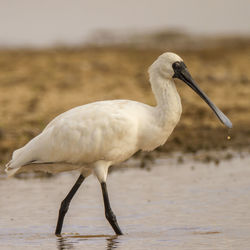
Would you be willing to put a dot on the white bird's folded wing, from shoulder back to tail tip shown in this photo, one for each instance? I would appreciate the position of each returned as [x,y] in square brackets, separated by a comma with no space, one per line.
[96,131]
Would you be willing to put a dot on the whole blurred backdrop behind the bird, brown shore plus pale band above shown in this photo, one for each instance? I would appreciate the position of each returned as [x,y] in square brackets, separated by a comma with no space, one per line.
[58,54]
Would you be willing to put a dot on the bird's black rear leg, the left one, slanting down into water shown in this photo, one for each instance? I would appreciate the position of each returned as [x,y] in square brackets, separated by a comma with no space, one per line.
[65,204]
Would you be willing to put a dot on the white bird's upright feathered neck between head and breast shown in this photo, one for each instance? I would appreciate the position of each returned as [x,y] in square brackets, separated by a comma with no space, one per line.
[168,109]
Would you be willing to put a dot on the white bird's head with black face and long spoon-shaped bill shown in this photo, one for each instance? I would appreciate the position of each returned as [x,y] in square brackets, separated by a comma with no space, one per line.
[170,66]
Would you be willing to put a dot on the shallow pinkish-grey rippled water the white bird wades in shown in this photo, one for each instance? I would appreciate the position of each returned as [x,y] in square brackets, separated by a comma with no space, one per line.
[173,206]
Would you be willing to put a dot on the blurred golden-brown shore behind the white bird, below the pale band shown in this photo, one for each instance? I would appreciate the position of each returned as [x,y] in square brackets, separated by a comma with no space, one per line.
[37,85]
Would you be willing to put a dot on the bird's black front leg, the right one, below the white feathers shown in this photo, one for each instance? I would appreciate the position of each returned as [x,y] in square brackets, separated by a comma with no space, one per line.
[108,211]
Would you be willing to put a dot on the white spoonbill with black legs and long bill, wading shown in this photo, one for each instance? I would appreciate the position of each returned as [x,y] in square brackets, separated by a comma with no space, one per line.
[92,137]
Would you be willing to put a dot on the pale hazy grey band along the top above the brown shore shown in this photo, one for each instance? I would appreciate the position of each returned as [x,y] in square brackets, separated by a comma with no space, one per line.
[47,22]
